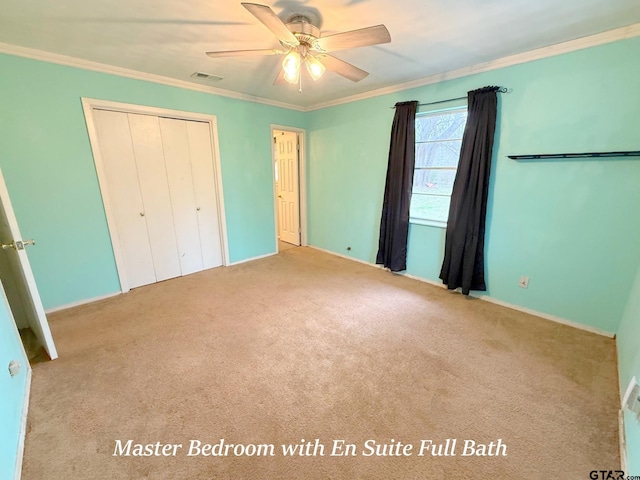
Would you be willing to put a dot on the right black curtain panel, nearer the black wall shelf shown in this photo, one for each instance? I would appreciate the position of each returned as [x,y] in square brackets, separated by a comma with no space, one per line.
[463,264]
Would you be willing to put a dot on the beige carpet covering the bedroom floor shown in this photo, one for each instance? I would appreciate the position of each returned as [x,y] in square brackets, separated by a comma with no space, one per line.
[305,345]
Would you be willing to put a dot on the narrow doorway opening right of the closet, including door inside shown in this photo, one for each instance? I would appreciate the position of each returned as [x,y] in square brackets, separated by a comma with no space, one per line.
[289,187]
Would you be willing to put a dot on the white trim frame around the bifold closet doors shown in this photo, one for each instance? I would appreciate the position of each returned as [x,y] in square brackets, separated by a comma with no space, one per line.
[91,104]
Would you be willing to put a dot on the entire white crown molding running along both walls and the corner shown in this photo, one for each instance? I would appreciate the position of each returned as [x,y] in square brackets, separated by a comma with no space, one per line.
[609,36]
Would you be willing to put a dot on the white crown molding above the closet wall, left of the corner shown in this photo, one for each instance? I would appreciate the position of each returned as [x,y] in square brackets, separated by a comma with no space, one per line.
[65,60]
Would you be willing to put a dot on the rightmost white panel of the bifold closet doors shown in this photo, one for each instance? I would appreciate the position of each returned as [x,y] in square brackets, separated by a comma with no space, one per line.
[204,185]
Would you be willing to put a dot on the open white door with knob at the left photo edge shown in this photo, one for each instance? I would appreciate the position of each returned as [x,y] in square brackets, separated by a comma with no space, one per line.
[24,298]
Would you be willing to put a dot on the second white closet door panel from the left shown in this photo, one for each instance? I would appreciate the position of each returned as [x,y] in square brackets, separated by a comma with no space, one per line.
[147,146]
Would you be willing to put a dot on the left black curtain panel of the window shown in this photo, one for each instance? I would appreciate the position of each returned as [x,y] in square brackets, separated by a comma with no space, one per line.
[394,223]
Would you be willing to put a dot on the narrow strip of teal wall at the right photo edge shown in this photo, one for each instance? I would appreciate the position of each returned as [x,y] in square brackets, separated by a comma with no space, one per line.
[628,340]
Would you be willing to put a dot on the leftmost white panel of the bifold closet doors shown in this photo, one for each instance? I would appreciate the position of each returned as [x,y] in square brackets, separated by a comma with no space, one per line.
[124,195]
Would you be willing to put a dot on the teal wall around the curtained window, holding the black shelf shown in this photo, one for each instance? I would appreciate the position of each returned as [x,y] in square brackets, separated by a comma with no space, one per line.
[572,226]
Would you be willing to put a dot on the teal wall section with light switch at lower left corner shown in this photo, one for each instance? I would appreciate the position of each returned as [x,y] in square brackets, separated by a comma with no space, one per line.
[12,391]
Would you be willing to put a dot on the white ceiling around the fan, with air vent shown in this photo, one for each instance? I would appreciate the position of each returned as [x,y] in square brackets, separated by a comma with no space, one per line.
[170,37]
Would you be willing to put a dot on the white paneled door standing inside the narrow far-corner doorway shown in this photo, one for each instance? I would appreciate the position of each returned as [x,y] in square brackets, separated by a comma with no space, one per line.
[288,200]
